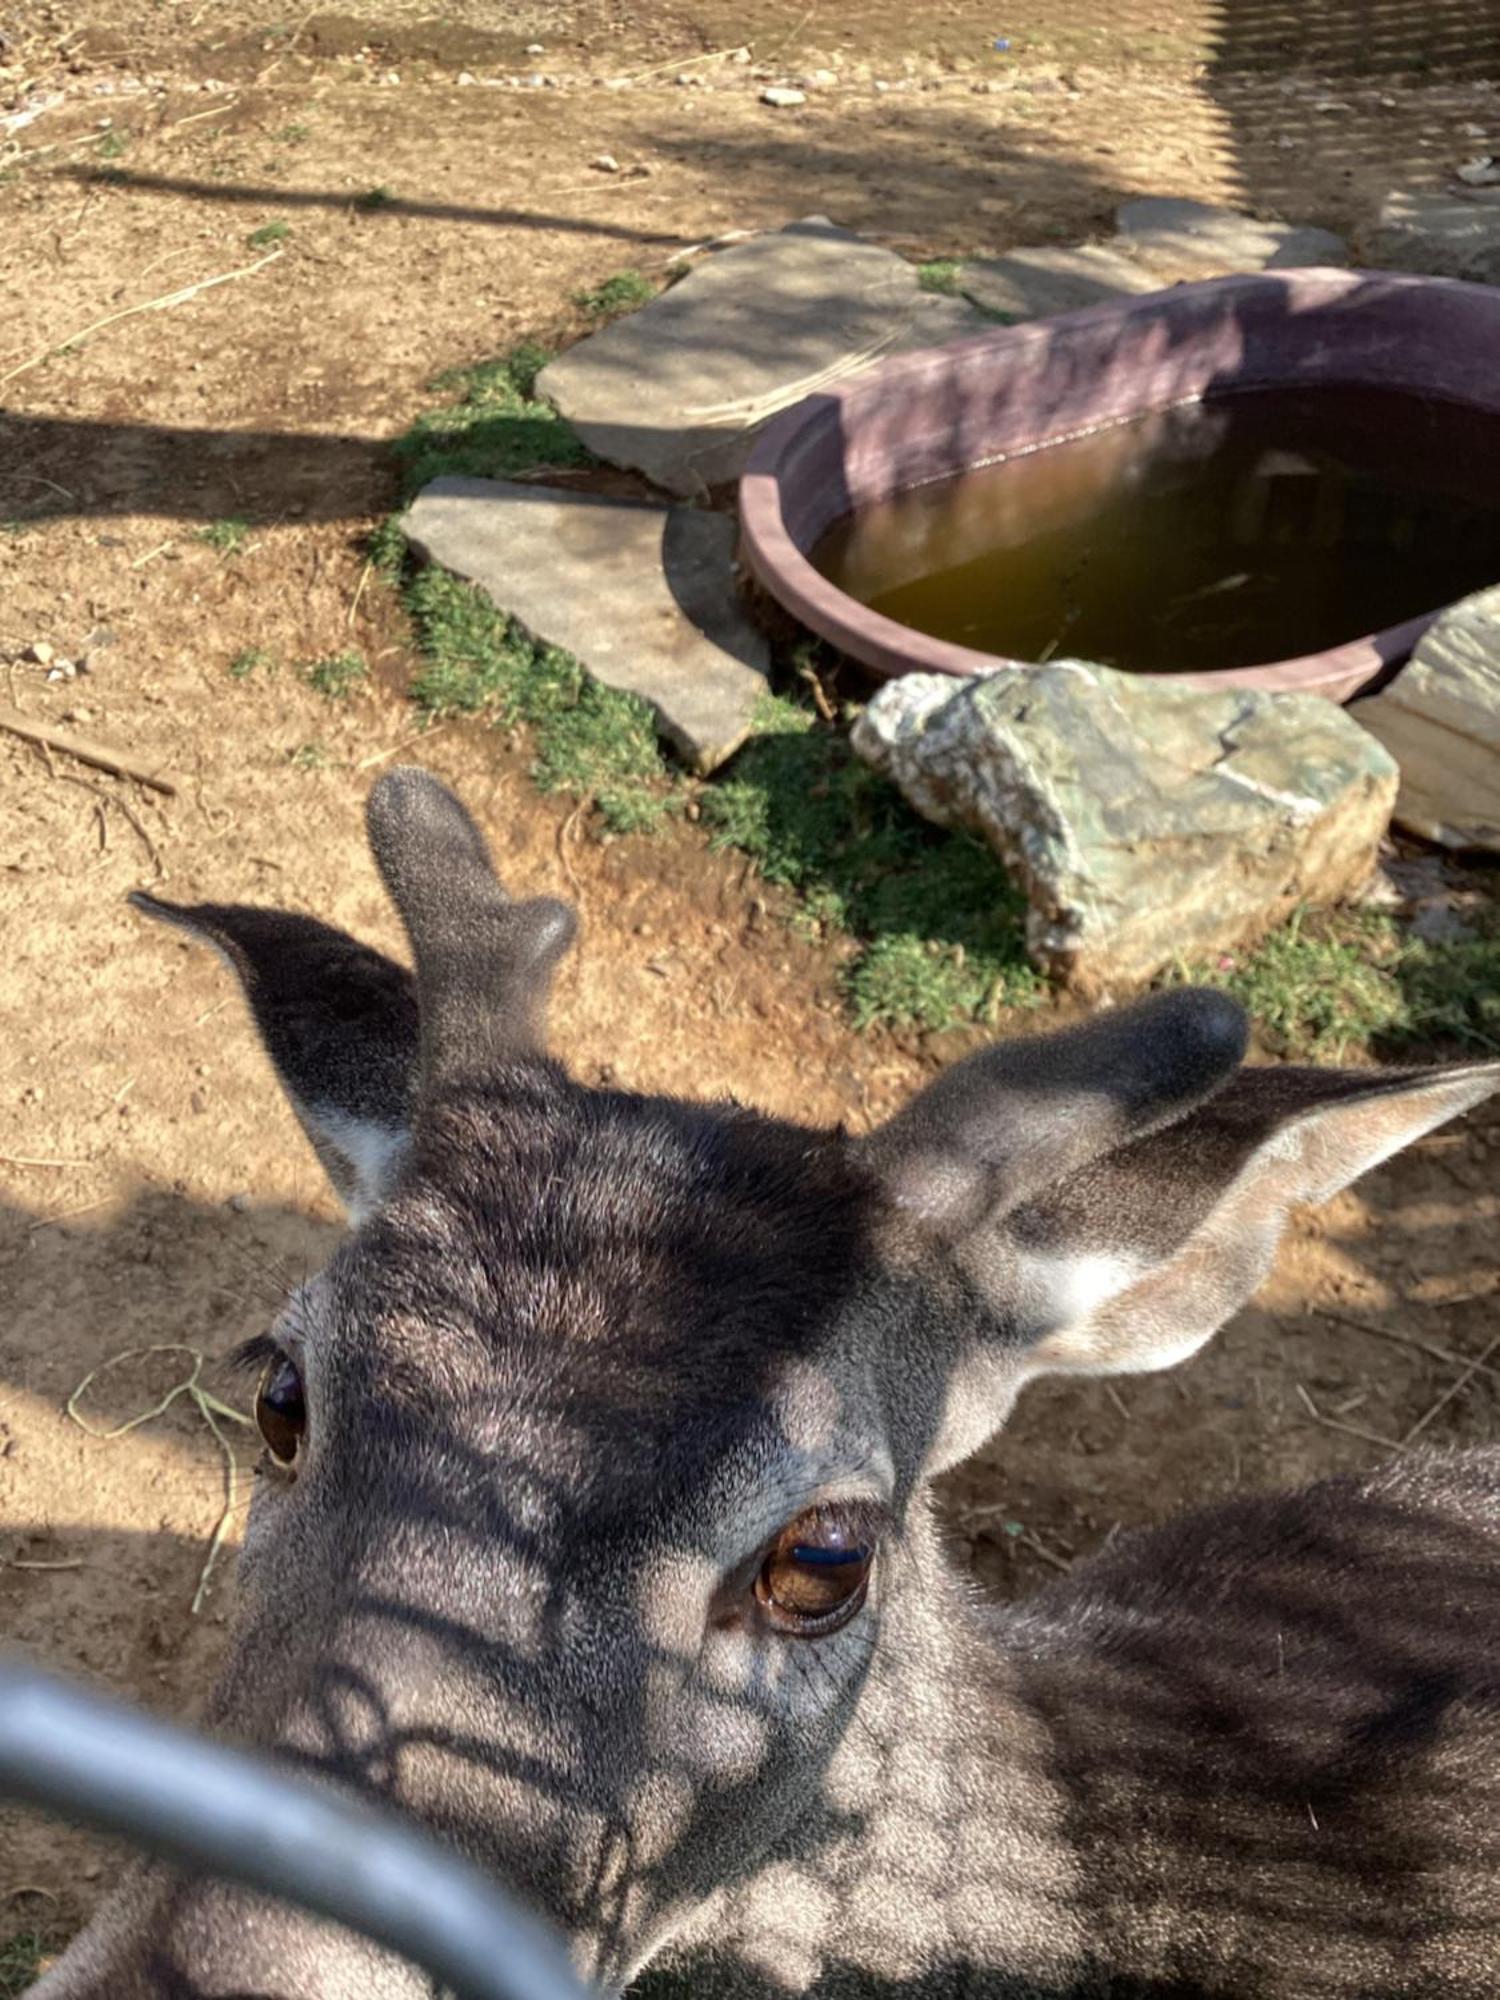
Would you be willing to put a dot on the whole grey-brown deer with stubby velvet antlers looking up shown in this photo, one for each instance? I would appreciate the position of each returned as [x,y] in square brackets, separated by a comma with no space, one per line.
[597,1529]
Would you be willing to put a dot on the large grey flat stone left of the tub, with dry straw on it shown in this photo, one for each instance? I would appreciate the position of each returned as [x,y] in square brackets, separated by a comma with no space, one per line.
[679,389]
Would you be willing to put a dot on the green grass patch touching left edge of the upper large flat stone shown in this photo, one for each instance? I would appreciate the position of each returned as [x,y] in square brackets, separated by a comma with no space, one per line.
[495,429]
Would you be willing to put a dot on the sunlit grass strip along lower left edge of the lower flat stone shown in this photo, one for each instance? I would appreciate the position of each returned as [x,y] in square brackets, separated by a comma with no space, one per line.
[591,741]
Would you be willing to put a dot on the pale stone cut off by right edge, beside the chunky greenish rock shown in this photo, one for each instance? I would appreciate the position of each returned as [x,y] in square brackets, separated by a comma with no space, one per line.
[1441,721]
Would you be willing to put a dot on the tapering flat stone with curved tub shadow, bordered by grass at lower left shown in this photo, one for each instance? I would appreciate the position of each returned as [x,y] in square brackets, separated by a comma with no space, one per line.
[641,595]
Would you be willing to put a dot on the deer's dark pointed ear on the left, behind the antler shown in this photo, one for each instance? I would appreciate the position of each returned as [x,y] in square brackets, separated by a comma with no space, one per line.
[339,1023]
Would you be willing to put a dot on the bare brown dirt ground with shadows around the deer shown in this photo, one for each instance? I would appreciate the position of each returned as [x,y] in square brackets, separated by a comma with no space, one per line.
[153,1187]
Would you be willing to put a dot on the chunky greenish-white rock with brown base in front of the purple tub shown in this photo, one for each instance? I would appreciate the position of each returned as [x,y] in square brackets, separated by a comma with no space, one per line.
[1147,821]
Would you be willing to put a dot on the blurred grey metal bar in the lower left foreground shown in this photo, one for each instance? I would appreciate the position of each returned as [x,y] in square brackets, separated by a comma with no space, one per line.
[233,1815]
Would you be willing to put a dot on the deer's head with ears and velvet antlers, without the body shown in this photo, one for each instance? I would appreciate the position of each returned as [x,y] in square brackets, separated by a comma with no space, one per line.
[597,1459]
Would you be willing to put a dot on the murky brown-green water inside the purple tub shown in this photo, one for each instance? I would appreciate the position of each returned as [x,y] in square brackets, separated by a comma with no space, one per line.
[1229,533]
